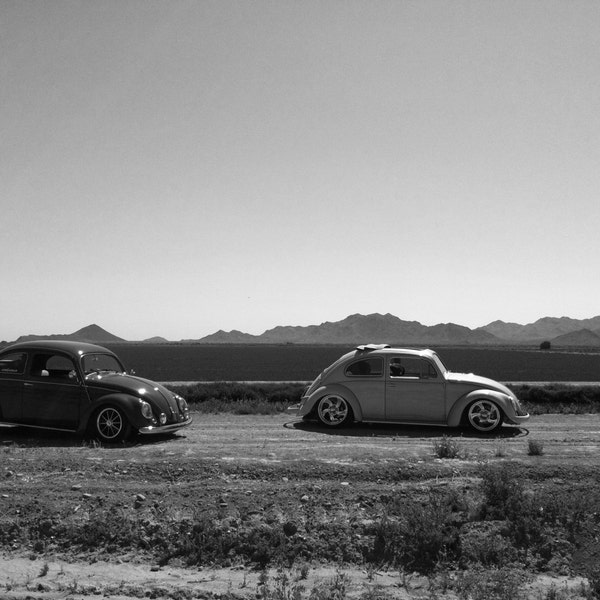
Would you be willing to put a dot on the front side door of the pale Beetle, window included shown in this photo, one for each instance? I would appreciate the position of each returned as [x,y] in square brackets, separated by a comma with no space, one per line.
[415,391]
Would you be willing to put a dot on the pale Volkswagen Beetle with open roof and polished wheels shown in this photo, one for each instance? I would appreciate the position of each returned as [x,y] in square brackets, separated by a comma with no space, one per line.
[378,383]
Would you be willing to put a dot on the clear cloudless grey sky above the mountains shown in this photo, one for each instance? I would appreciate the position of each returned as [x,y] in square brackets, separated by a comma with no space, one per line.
[177,167]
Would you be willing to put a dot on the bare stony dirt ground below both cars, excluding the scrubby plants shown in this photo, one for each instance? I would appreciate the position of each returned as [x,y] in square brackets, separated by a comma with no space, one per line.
[245,464]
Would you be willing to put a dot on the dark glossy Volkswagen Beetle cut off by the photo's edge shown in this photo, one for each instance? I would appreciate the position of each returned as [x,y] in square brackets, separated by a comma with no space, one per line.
[83,388]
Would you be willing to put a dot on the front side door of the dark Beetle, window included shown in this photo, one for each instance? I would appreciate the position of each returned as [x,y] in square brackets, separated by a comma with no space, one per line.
[52,392]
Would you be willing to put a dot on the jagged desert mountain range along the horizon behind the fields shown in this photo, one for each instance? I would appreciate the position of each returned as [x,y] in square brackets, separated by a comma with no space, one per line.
[559,331]
